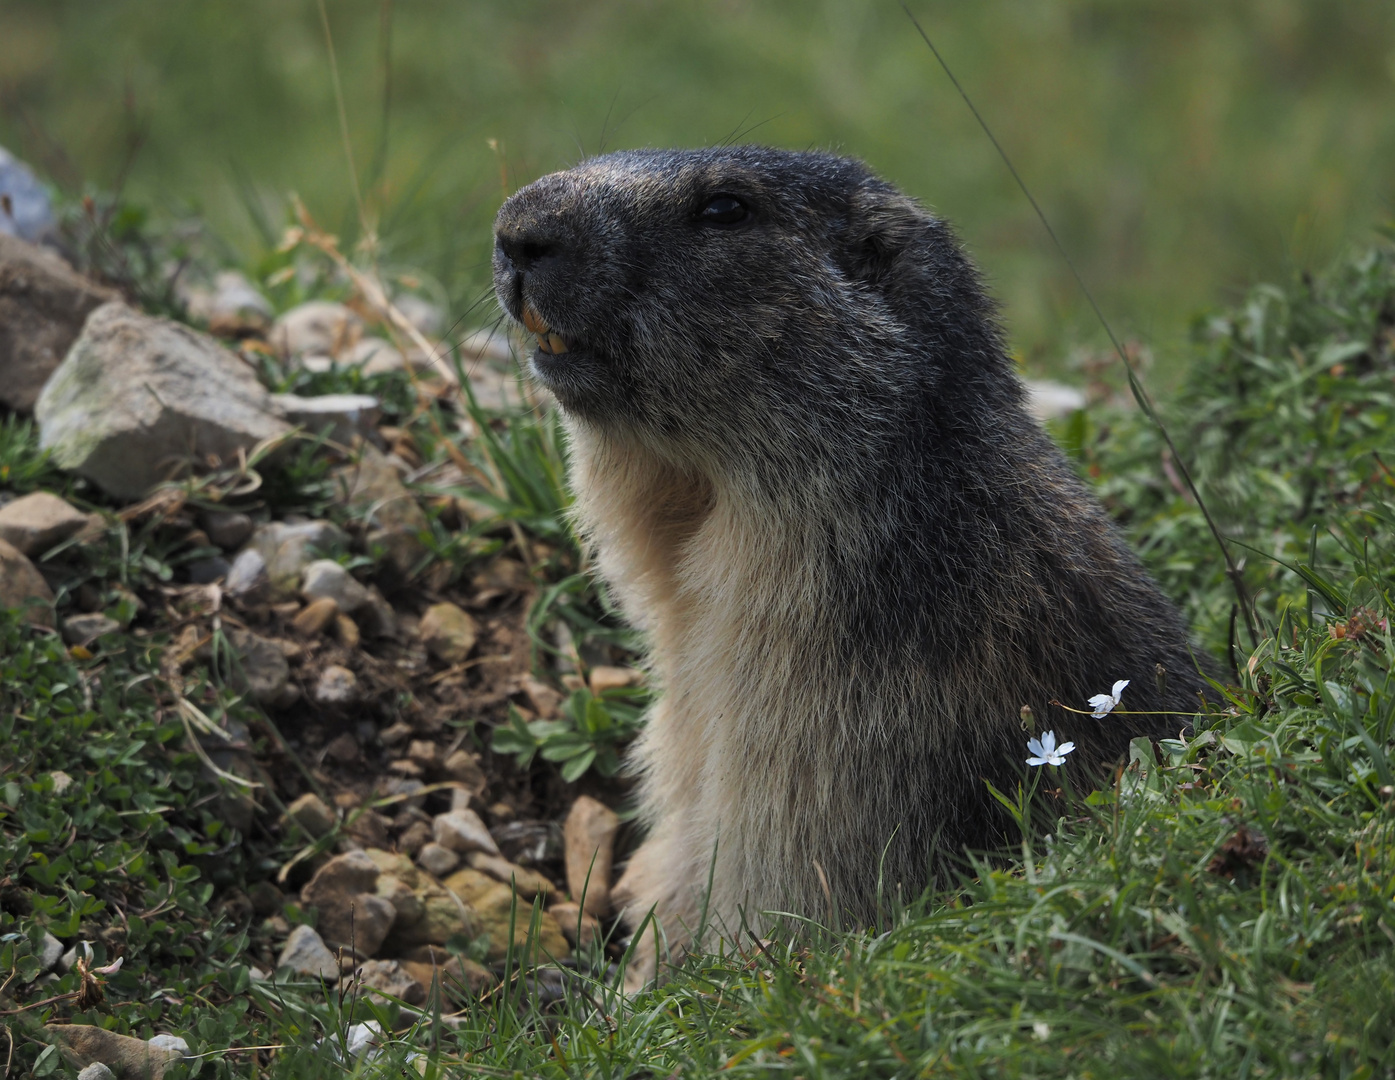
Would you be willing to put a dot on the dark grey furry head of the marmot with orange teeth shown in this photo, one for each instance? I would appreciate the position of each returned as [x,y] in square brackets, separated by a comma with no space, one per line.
[701,299]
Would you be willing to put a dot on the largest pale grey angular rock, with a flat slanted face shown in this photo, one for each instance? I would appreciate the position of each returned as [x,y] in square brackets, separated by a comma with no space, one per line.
[140,400]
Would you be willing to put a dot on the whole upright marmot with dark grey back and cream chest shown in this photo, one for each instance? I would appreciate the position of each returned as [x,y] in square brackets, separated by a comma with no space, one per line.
[803,457]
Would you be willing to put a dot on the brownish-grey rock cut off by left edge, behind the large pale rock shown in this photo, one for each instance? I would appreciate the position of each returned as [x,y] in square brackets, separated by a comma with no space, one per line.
[44,305]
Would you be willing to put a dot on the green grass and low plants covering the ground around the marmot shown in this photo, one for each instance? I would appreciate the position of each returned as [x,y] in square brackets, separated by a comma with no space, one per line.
[1224,909]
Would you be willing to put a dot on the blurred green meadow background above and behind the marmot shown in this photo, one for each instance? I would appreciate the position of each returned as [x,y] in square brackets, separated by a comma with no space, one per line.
[1182,149]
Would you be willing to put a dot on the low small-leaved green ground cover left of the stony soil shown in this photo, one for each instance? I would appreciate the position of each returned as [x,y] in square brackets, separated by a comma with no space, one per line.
[111,834]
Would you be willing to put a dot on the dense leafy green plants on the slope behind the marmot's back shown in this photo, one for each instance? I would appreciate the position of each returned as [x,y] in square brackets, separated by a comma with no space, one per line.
[1288,421]
